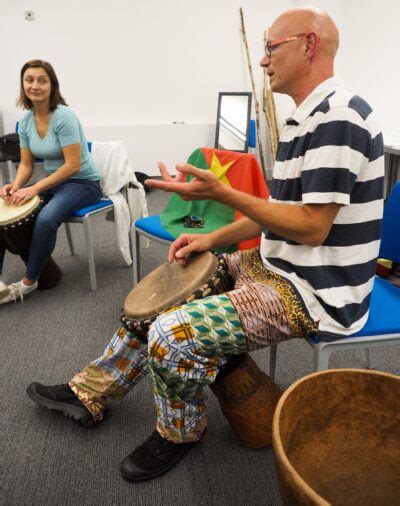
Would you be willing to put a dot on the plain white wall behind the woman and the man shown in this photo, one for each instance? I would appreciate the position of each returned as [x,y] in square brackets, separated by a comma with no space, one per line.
[131,68]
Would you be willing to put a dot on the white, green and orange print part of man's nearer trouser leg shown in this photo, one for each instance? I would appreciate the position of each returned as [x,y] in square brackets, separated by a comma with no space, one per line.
[183,347]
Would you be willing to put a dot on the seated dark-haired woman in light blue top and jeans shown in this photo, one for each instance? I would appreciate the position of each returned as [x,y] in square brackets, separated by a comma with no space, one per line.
[51,131]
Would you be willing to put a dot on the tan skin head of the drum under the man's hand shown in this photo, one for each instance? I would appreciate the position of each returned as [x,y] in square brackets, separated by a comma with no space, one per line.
[168,285]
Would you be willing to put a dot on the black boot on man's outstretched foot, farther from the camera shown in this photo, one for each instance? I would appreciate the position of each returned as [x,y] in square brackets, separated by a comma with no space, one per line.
[61,398]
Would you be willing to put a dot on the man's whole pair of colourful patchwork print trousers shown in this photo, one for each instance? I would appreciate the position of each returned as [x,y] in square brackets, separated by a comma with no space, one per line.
[187,346]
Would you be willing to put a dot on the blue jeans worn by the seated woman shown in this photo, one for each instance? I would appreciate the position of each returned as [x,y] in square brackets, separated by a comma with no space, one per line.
[61,203]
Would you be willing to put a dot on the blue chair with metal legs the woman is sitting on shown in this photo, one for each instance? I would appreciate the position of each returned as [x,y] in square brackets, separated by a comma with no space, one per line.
[84,216]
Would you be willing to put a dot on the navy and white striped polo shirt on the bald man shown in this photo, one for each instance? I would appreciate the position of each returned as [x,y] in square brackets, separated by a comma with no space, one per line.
[331,150]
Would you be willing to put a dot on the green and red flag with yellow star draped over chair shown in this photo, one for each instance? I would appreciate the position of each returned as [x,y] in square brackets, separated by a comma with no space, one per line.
[241,171]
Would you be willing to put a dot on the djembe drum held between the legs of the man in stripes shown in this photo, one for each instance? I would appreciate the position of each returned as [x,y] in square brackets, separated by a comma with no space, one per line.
[246,395]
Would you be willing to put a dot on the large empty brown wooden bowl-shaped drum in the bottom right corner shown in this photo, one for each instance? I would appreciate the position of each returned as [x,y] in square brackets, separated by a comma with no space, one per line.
[336,436]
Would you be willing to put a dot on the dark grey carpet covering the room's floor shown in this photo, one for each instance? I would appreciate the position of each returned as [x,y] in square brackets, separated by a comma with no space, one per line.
[47,460]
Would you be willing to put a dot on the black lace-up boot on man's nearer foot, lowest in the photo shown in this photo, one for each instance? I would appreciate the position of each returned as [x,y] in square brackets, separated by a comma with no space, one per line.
[153,458]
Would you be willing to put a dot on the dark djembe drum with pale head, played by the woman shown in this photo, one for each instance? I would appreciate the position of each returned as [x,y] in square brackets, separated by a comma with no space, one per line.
[16,228]
